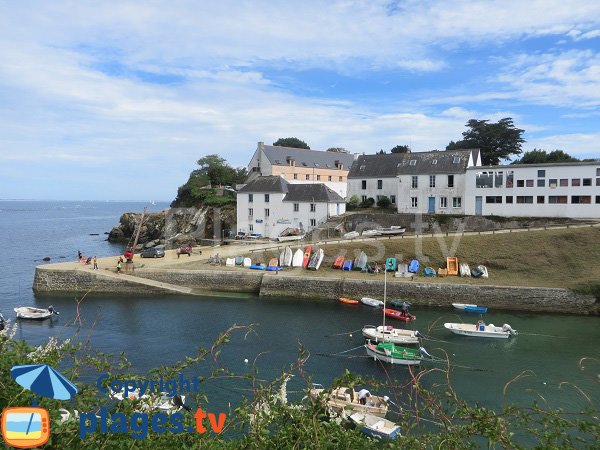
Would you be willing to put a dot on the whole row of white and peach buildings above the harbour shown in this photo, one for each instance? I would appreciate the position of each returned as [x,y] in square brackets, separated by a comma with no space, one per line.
[299,188]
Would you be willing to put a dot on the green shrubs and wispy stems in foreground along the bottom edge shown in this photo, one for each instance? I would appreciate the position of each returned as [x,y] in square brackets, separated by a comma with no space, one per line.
[431,417]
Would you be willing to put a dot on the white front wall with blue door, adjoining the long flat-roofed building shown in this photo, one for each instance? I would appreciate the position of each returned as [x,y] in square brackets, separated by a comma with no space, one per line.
[447,196]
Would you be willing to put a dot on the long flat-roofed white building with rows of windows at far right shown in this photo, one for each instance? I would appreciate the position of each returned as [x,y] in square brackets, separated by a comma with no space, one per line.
[534,190]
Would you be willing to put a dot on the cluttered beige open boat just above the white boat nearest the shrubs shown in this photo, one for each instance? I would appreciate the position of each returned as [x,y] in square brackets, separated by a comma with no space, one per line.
[344,400]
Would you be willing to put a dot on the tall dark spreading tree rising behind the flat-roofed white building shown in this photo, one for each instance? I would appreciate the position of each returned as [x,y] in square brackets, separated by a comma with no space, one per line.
[495,140]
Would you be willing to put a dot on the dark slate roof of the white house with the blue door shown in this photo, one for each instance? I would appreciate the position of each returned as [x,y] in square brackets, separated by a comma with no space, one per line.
[418,163]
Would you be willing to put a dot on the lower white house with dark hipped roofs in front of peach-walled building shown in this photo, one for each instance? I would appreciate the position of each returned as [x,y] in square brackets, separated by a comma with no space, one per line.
[268,205]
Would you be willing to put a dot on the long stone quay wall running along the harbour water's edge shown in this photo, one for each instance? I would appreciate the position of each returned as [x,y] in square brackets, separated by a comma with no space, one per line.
[265,284]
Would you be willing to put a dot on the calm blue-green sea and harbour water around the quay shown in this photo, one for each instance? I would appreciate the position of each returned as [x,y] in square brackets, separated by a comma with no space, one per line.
[161,330]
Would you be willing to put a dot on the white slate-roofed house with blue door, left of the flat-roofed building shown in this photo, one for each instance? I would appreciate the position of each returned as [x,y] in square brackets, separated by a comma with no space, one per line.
[422,182]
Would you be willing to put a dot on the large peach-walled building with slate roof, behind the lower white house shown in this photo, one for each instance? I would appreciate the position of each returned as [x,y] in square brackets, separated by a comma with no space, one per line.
[301,166]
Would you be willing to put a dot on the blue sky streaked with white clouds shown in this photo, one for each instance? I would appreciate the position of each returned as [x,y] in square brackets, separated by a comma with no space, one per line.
[119,99]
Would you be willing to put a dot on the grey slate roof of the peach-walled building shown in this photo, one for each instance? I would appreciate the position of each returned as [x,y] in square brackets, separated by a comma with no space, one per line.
[307,158]
